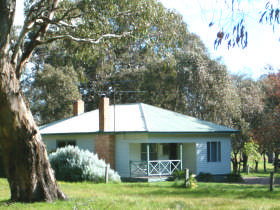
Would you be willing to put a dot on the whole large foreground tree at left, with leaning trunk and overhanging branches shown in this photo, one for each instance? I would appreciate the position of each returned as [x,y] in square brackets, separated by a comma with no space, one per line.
[88,22]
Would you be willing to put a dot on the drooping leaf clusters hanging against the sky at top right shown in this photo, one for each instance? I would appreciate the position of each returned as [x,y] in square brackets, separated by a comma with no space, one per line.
[233,31]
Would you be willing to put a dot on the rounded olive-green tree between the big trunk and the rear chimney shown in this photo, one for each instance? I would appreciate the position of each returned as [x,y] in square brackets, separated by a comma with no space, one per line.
[53,92]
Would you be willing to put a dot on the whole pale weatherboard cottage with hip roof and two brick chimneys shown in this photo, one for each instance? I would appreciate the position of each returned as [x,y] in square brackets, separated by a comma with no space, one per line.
[143,140]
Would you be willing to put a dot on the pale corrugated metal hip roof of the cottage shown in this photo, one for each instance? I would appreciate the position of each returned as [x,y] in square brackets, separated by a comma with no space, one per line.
[136,117]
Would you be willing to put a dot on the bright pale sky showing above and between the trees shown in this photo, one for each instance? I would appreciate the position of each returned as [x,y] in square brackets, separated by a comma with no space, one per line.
[263,46]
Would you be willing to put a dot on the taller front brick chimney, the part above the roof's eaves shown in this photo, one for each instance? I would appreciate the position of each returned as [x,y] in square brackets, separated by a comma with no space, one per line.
[104,113]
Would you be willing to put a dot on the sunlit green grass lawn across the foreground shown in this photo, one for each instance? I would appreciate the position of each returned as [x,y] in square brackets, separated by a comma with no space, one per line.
[161,195]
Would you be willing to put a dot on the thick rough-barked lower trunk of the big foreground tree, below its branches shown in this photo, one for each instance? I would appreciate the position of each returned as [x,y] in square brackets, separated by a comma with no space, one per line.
[25,159]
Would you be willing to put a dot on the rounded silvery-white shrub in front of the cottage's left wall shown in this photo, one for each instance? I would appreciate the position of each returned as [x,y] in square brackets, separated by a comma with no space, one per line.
[73,164]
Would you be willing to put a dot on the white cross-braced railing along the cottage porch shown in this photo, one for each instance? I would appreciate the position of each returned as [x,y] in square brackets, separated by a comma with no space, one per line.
[156,168]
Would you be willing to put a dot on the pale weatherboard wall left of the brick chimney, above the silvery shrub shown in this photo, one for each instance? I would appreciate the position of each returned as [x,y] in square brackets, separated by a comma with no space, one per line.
[83,141]
